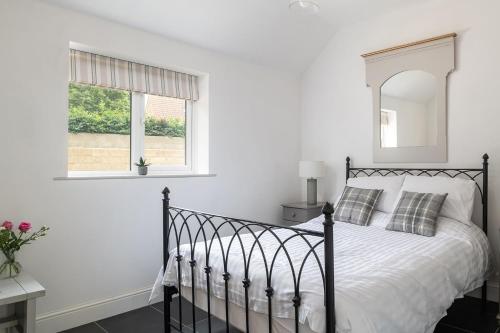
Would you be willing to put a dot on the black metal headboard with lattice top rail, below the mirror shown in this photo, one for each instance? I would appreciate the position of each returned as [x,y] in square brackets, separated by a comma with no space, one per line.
[479,176]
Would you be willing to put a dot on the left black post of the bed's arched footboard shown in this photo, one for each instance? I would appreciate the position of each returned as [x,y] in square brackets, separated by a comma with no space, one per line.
[168,291]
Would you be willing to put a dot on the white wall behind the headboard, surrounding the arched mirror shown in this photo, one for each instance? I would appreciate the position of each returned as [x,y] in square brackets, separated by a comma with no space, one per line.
[336,116]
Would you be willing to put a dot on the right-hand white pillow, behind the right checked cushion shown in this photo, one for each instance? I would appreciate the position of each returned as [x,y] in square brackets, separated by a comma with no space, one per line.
[459,203]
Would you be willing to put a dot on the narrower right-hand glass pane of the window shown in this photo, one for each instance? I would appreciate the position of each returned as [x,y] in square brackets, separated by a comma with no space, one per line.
[165,127]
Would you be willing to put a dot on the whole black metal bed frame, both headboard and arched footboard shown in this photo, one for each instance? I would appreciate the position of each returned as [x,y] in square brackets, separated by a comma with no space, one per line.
[207,228]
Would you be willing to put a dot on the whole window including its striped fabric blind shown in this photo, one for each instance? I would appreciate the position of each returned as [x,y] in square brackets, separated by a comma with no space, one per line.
[120,111]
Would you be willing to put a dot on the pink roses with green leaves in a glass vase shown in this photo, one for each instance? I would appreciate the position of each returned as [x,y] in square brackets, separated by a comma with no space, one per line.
[12,241]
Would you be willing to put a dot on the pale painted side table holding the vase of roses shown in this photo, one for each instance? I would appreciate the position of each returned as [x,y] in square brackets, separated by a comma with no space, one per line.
[18,303]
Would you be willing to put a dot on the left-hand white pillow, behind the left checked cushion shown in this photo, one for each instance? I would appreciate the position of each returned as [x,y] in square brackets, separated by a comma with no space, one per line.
[390,184]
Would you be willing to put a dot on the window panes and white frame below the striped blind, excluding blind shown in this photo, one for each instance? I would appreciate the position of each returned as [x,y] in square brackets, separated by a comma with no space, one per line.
[104,137]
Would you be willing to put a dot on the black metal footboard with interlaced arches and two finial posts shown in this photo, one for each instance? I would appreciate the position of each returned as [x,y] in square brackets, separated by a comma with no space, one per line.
[209,222]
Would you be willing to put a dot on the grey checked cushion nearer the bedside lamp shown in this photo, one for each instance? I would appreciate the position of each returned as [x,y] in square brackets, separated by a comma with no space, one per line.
[356,205]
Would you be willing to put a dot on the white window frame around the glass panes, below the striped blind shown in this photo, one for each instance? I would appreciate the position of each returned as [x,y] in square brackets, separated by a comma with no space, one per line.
[137,138]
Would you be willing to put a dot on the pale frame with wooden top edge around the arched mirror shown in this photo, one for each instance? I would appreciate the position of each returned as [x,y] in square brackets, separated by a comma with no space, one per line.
[436,56]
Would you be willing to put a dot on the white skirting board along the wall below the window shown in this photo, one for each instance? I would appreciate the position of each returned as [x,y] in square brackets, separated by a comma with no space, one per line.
[89,312]
